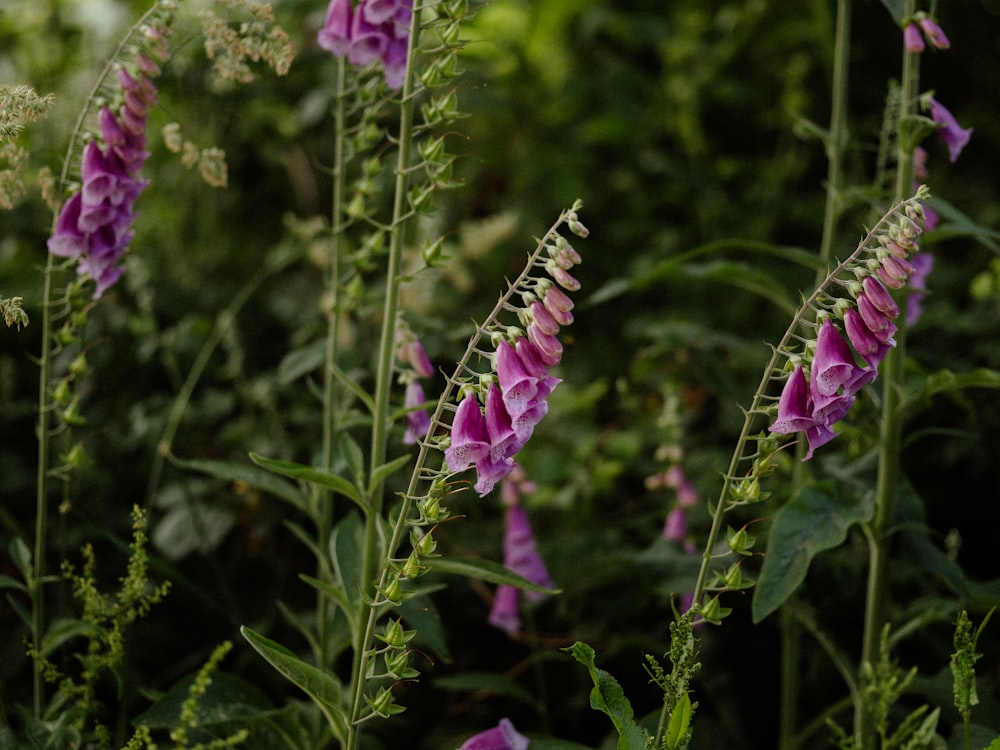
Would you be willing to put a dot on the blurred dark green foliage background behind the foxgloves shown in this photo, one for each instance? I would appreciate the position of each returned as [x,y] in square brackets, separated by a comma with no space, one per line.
[682,126]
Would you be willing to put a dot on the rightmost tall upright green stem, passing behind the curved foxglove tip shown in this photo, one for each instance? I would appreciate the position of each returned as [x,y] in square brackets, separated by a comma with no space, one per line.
[879,530]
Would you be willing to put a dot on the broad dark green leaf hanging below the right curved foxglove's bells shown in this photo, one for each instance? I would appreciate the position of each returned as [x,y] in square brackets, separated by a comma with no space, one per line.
[817,518]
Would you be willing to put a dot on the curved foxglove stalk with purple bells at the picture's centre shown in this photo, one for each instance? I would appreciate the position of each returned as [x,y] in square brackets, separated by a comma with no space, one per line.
[471,442]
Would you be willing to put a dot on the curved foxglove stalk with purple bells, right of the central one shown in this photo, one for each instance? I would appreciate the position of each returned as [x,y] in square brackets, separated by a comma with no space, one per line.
[822,373]
